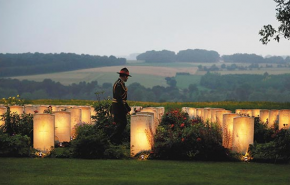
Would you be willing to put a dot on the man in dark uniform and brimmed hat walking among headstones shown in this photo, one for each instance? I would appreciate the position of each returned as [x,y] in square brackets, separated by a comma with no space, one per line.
[120,108]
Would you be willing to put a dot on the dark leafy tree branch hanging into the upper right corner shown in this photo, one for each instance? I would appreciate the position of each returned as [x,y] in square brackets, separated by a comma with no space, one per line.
[283,16]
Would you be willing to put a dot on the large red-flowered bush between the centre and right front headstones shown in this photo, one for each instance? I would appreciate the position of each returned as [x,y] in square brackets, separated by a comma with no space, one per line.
[178,137]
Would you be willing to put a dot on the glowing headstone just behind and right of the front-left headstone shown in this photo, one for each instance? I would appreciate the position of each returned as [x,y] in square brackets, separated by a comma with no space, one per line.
[62,125]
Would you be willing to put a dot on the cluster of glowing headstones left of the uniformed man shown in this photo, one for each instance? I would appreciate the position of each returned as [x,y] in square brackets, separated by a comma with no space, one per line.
[57,125]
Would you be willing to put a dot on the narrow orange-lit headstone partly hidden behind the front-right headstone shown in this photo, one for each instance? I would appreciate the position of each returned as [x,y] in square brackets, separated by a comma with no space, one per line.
[228,124]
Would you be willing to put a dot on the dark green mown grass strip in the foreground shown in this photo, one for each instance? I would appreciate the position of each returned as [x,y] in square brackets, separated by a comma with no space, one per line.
[77,171]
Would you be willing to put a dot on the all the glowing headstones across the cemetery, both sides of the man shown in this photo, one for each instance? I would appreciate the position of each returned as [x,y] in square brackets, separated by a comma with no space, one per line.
[237,128]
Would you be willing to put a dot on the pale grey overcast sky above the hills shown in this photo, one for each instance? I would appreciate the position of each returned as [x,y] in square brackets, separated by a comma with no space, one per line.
[123,27]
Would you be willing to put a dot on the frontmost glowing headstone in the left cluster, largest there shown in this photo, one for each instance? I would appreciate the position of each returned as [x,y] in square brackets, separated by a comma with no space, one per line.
[43,132]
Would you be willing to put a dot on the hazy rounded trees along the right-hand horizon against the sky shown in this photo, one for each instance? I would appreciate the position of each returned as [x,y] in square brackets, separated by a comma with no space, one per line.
[205,56]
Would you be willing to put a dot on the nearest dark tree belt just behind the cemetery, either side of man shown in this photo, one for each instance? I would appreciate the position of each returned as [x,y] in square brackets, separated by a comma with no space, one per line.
[212,87]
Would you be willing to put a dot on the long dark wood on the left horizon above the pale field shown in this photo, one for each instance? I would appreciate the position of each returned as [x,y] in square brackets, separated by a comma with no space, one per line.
[39,63]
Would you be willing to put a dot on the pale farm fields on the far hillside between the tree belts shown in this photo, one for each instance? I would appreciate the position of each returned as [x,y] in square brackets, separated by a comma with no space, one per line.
[147,74]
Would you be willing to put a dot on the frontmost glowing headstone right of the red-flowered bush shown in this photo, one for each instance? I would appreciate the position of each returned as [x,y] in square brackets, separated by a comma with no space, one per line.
[243,134]
